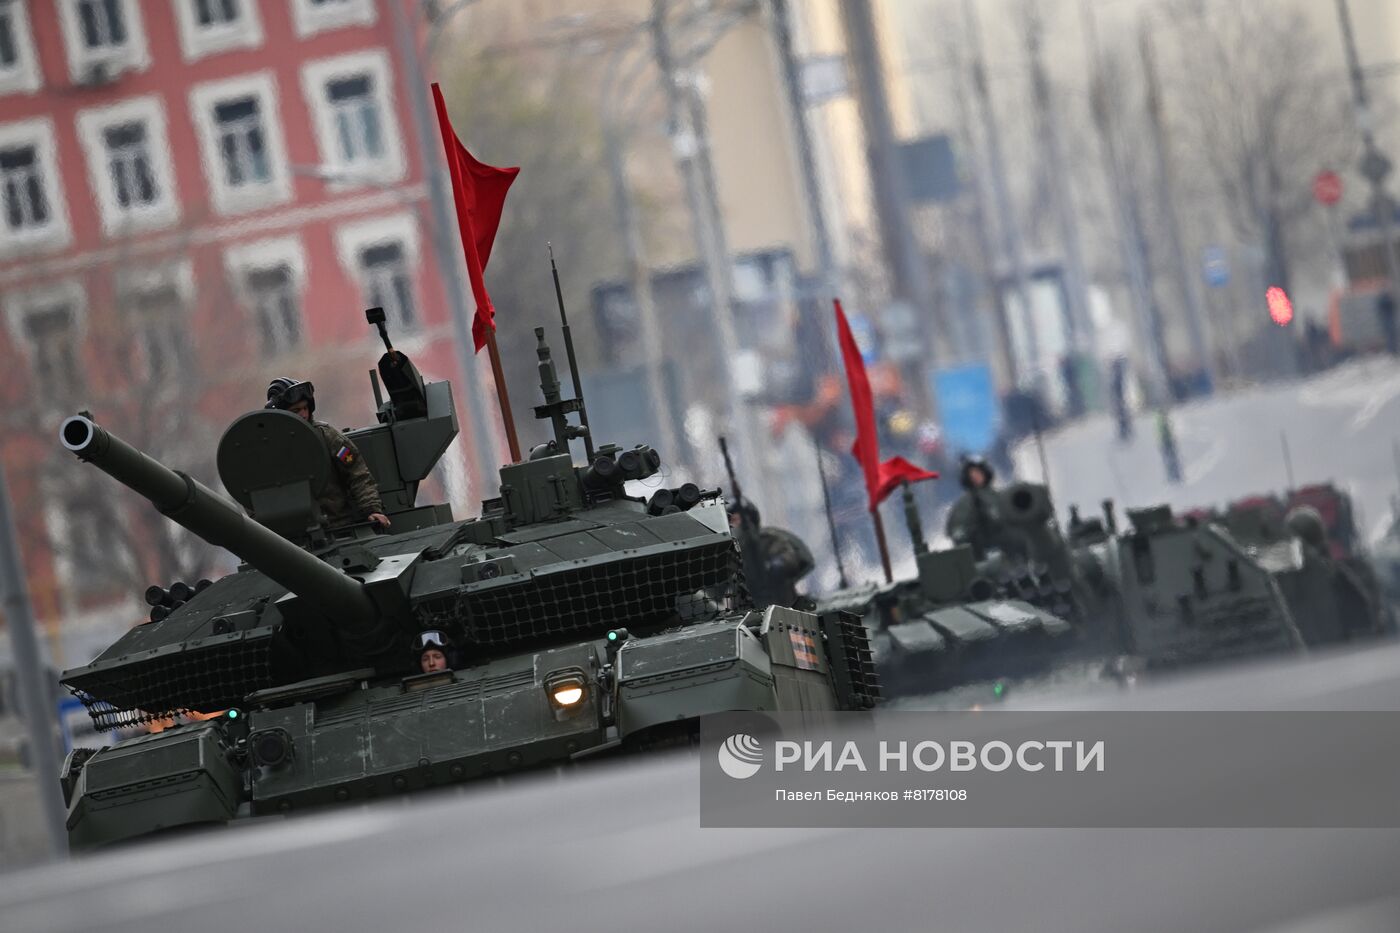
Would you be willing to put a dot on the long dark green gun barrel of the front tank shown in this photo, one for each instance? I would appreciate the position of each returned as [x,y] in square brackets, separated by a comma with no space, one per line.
[194,506]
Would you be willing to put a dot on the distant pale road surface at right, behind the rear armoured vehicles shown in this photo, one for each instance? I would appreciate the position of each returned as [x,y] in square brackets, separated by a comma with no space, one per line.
[1339,427]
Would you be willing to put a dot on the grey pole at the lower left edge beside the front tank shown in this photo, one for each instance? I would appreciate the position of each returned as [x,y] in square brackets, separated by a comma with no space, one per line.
[37,705]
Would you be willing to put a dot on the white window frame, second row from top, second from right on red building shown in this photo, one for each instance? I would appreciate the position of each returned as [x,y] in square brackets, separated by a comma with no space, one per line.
[246,198]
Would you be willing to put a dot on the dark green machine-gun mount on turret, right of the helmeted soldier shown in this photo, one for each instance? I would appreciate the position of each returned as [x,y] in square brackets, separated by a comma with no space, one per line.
[416,425]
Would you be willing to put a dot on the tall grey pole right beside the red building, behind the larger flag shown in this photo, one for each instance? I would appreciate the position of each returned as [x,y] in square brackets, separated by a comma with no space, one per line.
[447,254]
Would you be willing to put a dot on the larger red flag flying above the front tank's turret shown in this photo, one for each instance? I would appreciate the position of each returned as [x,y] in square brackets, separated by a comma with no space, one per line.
[479,193]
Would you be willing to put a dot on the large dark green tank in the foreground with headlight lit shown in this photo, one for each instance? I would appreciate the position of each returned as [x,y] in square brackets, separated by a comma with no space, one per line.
[587,620]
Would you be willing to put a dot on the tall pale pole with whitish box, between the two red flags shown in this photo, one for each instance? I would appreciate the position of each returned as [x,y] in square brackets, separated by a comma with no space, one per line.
[688,130]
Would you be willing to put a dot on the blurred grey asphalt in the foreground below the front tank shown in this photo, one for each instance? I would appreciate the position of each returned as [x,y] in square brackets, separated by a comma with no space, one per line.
[619,847]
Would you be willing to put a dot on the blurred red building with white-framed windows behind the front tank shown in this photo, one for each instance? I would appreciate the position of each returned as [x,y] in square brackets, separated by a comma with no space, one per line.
[227,186]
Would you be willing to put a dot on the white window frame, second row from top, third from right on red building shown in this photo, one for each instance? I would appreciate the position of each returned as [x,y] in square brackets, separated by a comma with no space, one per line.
[93,125]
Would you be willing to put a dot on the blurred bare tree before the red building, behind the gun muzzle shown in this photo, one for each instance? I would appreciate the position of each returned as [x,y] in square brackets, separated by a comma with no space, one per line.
[159,361]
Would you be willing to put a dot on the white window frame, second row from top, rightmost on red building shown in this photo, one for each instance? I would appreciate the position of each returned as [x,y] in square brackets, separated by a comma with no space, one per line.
[316,79]
